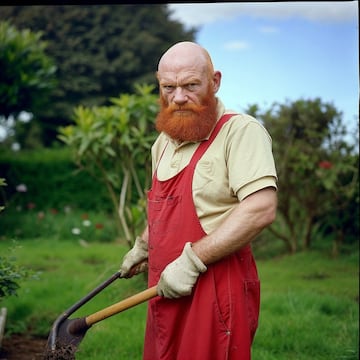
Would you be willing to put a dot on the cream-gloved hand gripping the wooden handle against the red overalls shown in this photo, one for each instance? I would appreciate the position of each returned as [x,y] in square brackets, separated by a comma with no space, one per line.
[179,277]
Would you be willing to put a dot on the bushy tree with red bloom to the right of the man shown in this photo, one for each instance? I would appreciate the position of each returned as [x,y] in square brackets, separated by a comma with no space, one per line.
[317,170]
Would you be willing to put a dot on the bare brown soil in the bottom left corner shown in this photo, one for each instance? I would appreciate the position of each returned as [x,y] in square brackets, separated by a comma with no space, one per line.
[22,347]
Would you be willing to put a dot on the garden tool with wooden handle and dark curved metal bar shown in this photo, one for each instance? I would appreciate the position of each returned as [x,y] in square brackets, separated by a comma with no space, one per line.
[66,334]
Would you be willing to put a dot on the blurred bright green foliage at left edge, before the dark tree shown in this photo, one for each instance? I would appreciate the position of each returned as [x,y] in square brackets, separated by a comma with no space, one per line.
[27,73]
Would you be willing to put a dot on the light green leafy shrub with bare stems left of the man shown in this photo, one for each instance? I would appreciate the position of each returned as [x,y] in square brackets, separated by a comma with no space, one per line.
[113,143]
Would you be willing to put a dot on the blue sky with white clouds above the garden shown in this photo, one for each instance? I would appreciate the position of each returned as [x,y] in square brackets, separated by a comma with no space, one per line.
[281,51]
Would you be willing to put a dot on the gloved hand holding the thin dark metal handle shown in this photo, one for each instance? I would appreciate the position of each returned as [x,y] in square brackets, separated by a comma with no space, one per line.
[135,261]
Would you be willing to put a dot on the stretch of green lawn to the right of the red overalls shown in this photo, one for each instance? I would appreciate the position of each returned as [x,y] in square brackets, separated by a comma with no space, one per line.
[309,308]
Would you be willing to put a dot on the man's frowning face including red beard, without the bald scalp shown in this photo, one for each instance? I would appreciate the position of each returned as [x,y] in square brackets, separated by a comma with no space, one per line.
[188,104]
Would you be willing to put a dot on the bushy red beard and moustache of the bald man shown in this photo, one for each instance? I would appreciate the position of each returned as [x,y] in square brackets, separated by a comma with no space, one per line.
[189,122]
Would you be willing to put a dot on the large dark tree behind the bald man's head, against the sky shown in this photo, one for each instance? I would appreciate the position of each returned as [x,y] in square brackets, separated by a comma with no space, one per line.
[101,50]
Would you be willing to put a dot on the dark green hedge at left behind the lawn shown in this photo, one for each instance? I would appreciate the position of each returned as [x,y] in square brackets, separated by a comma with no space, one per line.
[48,178]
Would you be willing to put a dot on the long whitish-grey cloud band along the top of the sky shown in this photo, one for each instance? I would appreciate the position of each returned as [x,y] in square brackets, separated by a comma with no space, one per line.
[197,14]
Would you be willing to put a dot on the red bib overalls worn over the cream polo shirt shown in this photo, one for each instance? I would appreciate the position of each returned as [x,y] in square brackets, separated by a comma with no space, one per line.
[219,319]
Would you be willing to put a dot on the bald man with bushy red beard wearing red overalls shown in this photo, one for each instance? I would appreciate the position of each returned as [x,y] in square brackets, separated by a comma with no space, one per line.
[214,189]
